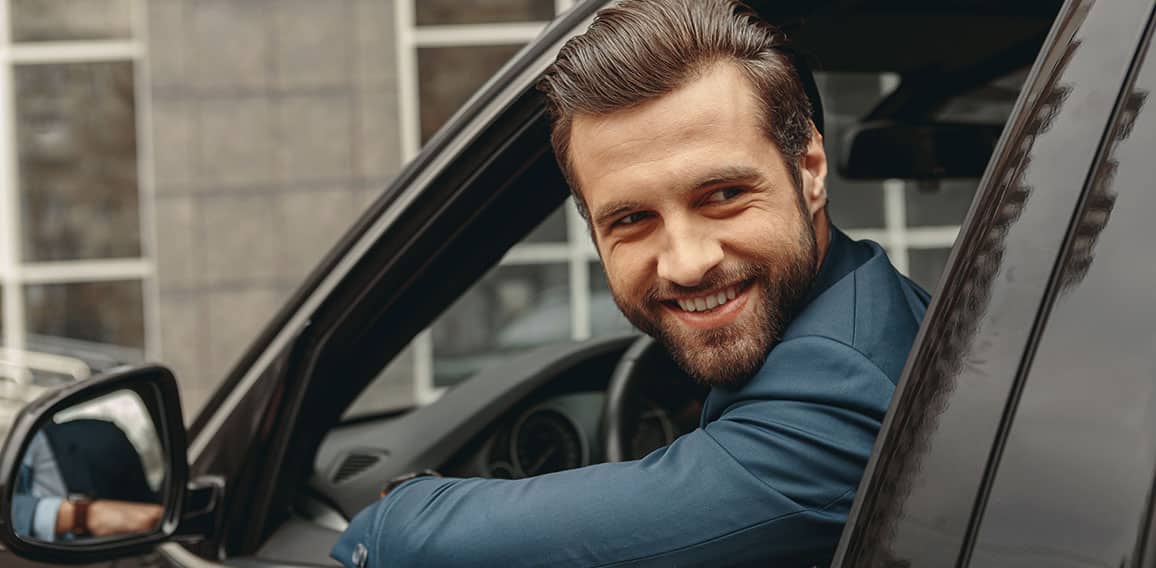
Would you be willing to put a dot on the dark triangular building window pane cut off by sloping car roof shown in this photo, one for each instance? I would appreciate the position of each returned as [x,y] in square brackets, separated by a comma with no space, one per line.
[448,77]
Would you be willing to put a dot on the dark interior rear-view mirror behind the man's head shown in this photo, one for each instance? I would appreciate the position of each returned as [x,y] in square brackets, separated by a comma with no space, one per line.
[937,151]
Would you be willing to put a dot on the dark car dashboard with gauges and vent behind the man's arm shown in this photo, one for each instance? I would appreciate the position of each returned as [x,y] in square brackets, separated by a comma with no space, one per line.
[529,416]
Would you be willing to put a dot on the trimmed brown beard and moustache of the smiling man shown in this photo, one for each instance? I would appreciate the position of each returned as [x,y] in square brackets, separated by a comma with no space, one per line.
[730,356]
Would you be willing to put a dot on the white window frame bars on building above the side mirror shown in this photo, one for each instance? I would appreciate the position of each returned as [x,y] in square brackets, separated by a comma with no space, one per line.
[14,272]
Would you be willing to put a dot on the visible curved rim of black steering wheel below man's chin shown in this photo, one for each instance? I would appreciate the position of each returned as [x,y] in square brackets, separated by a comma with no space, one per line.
[621,412]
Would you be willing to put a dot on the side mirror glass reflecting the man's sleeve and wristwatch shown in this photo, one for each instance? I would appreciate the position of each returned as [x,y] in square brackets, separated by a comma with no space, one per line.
[92,471]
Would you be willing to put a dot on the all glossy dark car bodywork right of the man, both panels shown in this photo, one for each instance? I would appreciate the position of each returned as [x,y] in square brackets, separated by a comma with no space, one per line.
[974,448]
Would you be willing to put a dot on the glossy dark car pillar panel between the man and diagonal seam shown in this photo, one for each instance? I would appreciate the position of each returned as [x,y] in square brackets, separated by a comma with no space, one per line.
[916,504]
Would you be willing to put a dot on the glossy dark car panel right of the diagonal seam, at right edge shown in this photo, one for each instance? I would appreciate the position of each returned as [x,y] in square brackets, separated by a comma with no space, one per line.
[1073,484]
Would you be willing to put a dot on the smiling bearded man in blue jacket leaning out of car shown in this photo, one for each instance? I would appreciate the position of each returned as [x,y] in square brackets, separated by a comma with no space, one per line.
[687,138]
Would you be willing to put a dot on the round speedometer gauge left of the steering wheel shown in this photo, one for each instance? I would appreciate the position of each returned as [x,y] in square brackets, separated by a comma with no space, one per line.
[544,442]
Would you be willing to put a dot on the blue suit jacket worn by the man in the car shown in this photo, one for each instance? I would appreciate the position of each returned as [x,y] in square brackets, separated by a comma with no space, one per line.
[768,480]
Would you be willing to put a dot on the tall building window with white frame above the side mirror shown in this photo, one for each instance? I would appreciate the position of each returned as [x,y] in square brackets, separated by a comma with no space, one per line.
[76,268]
